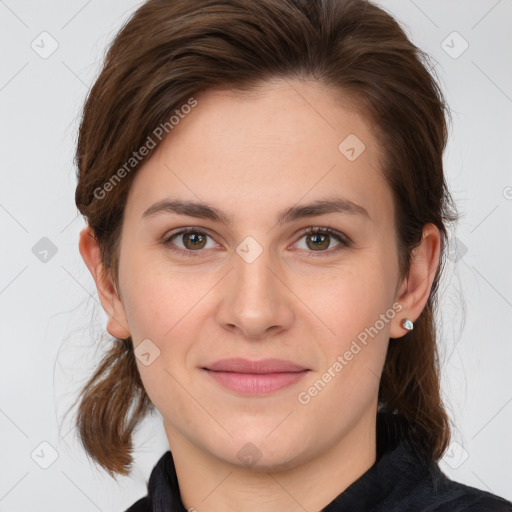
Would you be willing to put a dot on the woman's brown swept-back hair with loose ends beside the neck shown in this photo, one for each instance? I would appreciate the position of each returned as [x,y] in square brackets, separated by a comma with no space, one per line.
[170,50]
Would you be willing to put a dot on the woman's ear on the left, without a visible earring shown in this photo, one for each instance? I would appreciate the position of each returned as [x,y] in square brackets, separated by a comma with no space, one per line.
[91,254]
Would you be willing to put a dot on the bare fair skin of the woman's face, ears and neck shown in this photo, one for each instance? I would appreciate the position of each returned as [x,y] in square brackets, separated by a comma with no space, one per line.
[252,155]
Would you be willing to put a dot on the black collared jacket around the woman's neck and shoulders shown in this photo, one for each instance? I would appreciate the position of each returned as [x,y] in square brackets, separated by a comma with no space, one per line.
[401,480]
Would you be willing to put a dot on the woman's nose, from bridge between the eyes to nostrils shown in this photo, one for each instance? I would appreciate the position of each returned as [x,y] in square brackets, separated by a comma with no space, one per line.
[256,302]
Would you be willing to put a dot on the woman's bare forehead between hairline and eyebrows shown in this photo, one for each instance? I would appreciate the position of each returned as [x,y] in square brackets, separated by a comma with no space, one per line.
[281,143]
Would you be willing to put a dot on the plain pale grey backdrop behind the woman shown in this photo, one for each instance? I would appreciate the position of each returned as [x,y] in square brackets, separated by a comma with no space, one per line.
[53,328]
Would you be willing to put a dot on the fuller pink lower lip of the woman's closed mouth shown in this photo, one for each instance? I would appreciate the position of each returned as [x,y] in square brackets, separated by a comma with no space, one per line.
[256,383]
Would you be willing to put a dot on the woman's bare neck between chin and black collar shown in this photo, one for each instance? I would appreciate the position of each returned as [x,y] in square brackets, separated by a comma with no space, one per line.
[209,483]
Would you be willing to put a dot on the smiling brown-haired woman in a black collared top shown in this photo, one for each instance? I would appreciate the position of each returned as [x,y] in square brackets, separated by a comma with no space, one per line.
[267,217]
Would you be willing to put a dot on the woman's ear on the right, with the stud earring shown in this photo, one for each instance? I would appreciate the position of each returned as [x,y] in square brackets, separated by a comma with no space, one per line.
[415,289]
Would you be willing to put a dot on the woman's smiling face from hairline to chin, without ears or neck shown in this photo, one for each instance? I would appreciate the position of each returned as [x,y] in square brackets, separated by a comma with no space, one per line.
[255,285]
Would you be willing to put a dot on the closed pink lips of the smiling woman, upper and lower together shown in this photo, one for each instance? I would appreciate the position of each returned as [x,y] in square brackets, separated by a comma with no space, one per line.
[255,377]
